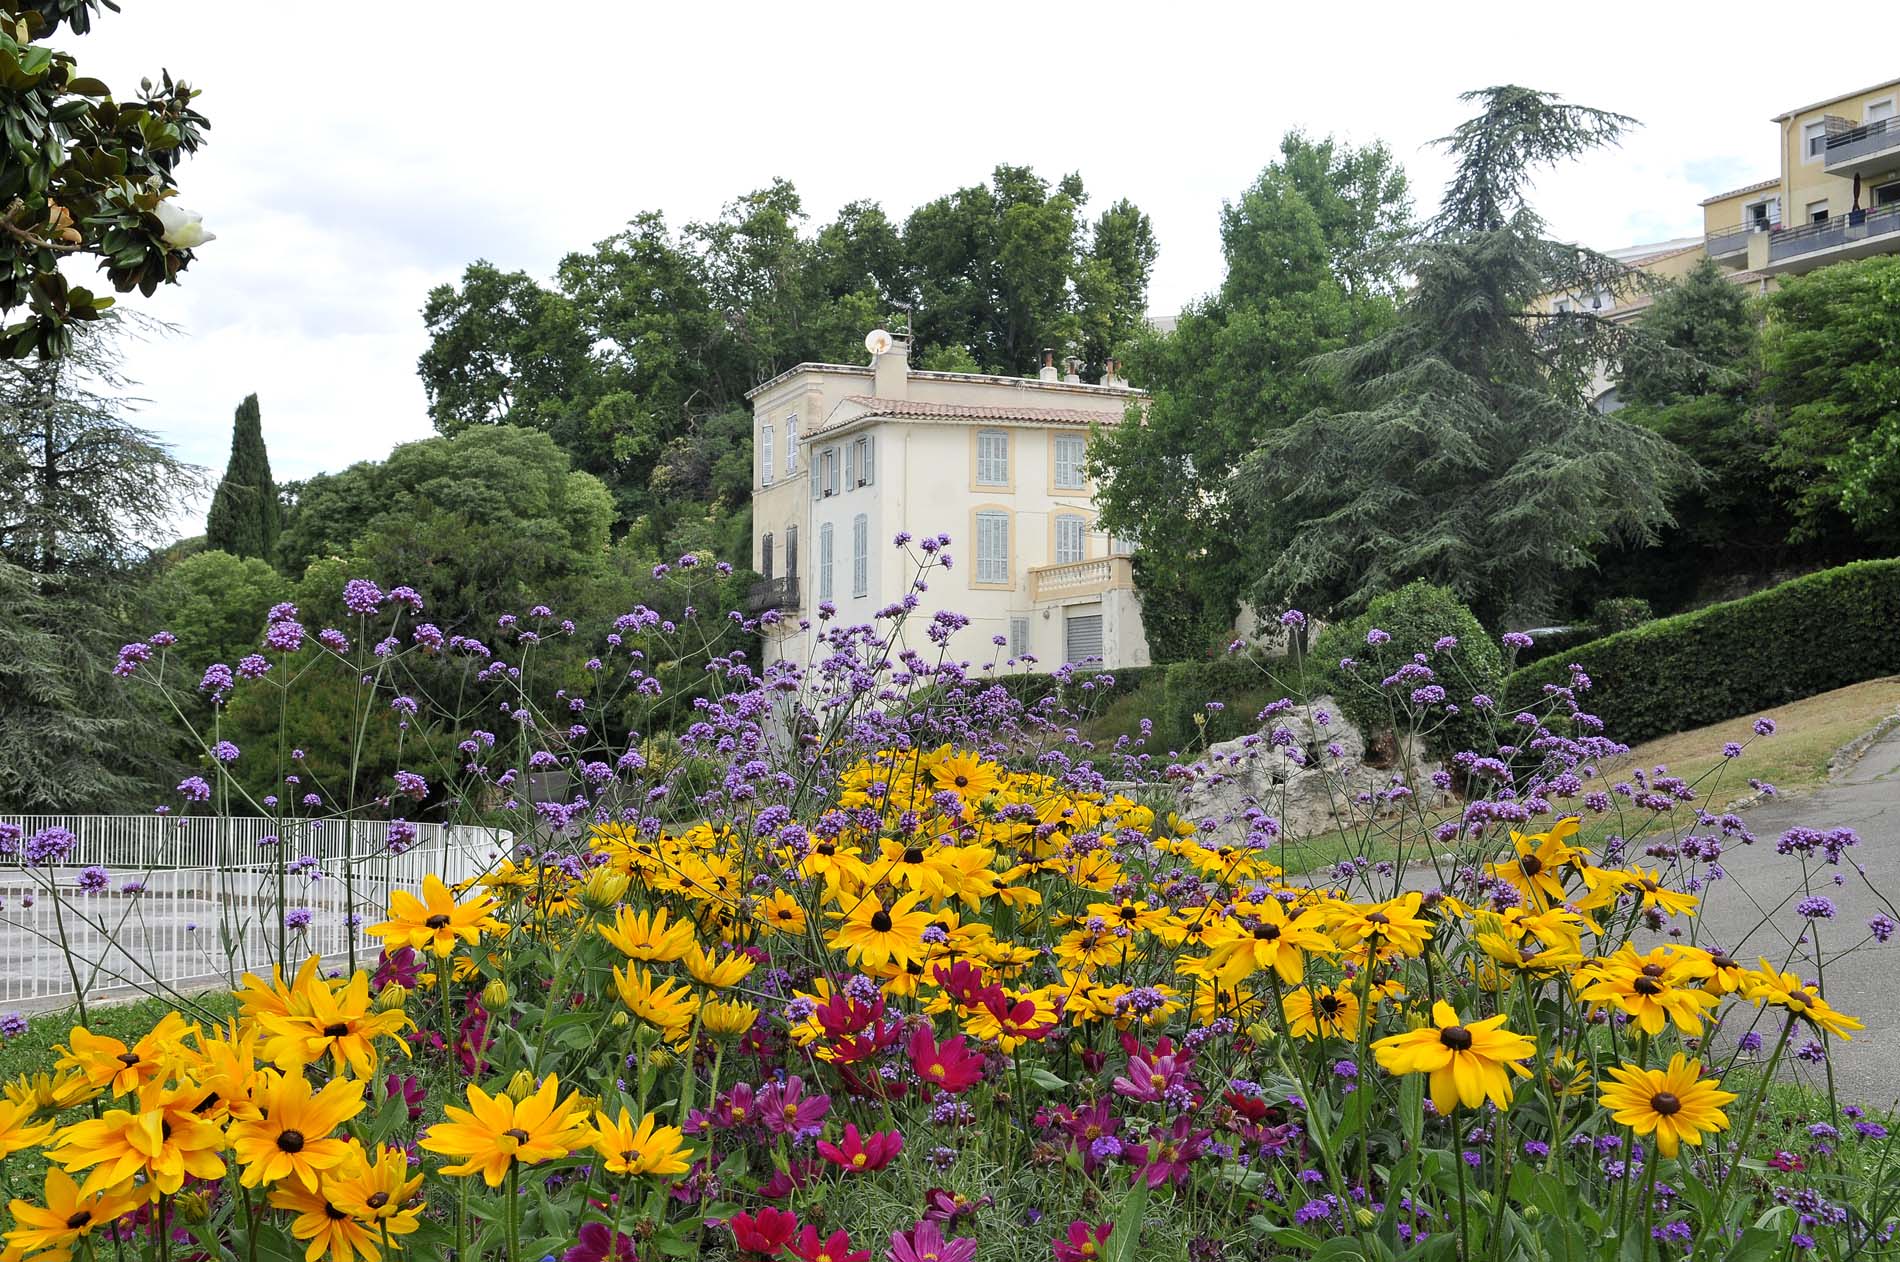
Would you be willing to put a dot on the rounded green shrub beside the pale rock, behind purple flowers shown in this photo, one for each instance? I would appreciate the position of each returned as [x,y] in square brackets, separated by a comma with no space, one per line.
[1416,617]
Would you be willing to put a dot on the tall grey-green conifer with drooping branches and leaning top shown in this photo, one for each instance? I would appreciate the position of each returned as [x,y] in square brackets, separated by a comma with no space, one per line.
[1466,451]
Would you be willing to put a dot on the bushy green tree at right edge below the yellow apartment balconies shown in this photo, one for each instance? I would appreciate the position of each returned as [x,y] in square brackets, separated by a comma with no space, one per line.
[1833,375]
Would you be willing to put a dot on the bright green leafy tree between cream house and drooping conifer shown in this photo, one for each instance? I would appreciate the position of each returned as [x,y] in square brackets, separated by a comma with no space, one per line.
[1312,252]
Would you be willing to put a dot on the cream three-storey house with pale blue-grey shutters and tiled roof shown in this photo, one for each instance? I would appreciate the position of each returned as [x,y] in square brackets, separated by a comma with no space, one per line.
[846,457]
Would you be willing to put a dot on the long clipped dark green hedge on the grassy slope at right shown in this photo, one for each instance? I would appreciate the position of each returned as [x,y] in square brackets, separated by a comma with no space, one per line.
[1810,636]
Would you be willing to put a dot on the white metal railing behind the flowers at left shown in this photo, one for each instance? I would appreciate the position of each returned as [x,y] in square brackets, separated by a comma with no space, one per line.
[168,927]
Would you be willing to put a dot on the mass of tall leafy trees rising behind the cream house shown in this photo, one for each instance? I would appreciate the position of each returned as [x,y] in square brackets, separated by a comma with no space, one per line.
[641,349]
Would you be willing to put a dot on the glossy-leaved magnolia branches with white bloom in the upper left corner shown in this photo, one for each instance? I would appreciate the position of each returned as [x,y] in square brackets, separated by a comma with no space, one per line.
[85,176]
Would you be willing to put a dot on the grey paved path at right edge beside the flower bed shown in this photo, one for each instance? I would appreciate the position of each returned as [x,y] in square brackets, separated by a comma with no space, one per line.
[1753,913]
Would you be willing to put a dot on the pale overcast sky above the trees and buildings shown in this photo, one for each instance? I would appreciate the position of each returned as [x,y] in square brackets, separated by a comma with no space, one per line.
[362,155]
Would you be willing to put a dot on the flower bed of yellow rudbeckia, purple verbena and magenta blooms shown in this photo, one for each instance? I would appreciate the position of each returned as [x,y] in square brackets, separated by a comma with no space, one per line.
[924,980]
